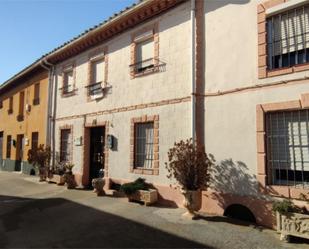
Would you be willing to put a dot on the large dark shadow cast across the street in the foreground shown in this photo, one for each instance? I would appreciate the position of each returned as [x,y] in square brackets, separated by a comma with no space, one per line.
[57,222]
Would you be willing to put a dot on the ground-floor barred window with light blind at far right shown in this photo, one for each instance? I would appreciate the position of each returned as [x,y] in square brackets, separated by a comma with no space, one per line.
[288,148]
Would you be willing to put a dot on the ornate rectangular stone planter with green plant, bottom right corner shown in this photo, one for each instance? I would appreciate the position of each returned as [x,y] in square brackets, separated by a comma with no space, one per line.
[291,220]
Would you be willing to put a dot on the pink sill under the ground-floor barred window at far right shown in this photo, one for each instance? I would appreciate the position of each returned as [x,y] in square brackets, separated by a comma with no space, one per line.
[285,191]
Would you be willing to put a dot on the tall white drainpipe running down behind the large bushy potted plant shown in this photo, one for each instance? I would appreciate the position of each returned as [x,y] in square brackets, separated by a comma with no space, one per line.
[193,97]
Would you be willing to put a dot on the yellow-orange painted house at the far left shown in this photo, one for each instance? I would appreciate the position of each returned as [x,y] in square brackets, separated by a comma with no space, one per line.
[23,118]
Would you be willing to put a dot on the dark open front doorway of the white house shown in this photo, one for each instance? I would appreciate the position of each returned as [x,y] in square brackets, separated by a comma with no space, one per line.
[97,142]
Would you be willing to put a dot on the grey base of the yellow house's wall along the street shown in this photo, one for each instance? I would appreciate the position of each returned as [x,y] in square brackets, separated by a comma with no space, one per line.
[12,165]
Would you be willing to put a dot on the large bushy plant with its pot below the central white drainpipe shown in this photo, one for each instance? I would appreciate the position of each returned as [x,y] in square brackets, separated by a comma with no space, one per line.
[189,165]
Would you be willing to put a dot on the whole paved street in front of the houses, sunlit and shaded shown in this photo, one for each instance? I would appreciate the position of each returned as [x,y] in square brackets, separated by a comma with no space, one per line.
[34,214]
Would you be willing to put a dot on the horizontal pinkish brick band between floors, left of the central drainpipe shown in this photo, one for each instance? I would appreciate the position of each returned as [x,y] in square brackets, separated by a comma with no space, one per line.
[130,108]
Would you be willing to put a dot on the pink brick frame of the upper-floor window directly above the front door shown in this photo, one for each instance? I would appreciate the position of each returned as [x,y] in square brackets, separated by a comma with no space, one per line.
[92,57]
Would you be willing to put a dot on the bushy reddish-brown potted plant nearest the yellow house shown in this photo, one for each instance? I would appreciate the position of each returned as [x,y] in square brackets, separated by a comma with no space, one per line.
[40,158]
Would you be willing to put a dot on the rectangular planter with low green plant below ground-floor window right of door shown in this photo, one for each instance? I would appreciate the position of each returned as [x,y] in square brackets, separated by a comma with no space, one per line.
[139,191]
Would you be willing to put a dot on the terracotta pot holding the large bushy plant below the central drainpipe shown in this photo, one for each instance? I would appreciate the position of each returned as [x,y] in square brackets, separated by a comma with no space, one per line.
[192,201]
